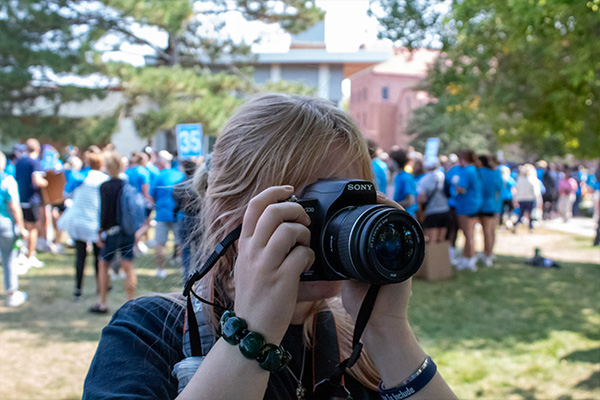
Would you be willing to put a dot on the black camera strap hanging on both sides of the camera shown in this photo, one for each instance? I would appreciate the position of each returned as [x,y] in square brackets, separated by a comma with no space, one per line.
[329,388]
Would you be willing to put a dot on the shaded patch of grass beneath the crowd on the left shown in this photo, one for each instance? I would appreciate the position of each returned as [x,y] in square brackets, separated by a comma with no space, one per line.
[51,312]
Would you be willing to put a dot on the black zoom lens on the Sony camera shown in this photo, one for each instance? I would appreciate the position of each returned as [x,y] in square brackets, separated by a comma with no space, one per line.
[374,243]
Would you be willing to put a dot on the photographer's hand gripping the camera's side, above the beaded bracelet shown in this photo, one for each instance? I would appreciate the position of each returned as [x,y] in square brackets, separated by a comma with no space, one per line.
[273,250]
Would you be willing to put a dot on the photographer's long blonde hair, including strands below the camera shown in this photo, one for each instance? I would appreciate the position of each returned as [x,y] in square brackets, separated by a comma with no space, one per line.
[275,139]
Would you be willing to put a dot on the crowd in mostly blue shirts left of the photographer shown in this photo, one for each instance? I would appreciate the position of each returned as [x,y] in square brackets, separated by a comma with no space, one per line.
[87,209]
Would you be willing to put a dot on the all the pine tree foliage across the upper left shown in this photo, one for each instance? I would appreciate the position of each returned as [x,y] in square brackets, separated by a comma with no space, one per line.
[42,41]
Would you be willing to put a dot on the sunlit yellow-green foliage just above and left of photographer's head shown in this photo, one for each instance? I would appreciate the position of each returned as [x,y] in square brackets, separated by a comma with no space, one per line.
[190,95]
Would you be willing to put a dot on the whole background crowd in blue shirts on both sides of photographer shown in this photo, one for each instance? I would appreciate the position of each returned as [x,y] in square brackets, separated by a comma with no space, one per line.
[447,194]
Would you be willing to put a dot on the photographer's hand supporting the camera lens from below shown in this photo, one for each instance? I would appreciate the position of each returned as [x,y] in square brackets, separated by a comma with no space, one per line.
[390,311]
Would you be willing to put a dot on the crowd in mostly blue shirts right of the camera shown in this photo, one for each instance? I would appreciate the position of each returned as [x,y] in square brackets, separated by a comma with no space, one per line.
[453,193]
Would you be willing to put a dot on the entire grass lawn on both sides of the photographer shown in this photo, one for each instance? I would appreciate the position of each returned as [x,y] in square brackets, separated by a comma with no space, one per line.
[507,332]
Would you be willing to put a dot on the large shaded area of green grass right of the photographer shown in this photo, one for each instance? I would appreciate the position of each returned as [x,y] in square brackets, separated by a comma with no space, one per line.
[510,304]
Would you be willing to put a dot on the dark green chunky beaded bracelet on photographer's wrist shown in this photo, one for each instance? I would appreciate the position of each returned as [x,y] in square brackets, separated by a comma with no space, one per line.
[253,345]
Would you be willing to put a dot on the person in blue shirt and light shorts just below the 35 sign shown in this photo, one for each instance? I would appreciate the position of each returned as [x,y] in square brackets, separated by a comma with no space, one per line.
[162,193]
